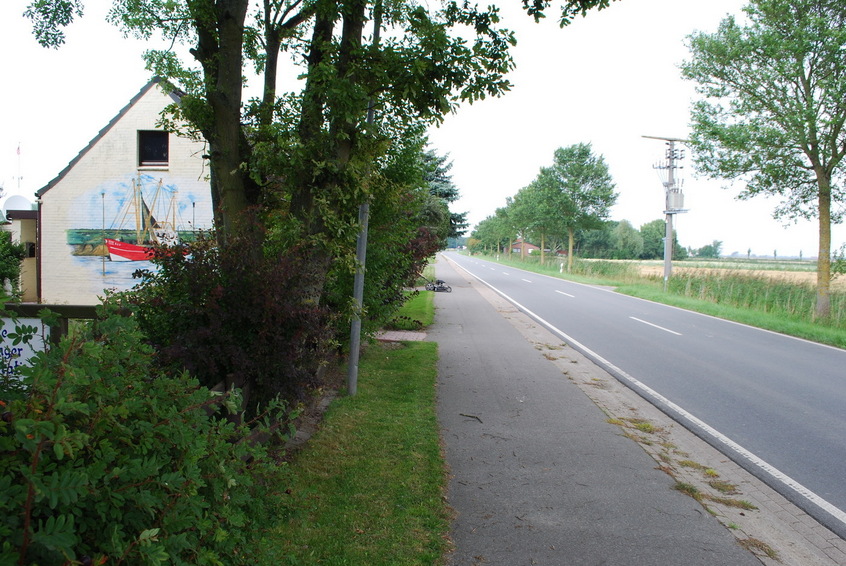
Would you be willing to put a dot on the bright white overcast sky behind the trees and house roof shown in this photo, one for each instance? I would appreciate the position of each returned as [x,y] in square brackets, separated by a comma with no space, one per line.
[608,79]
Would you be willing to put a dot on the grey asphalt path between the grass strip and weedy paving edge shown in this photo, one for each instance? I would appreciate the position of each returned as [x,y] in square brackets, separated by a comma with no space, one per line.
[538,475]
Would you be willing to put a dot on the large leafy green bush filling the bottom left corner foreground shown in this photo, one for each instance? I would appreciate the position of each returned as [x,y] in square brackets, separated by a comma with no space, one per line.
[104,462]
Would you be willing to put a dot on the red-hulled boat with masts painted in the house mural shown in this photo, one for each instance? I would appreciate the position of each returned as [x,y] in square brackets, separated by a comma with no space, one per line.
[151,227]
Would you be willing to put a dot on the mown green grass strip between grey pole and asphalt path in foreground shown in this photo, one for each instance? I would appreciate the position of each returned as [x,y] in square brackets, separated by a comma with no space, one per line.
[368,487]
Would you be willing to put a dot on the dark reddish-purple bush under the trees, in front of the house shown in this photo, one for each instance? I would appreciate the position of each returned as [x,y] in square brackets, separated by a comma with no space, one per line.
[235,315]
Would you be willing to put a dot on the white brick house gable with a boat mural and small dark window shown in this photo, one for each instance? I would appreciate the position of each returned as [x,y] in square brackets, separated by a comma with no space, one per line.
[117,191]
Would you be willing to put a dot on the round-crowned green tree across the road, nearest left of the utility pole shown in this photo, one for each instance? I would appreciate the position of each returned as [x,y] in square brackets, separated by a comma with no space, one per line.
[582,187]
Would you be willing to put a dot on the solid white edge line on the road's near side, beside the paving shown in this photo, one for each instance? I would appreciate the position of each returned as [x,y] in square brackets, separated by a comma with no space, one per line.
[754,460]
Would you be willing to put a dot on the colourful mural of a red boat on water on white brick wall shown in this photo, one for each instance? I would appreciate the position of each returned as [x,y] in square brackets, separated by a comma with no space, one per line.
[118,223]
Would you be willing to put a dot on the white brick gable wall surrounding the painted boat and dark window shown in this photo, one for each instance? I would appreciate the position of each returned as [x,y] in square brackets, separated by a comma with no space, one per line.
[84,203]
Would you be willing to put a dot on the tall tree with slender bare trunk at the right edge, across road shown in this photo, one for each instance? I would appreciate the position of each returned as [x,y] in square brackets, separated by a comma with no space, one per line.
[773,115]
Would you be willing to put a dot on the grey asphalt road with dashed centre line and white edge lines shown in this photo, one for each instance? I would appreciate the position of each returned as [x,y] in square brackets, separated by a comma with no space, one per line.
[774,404]
